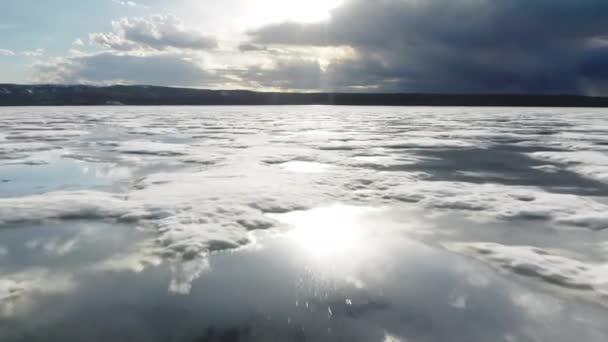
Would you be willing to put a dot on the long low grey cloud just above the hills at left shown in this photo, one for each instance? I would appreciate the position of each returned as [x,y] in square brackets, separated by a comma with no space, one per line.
[110,68]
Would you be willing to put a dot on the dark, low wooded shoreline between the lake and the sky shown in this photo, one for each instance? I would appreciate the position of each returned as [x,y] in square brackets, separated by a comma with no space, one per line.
[80,95]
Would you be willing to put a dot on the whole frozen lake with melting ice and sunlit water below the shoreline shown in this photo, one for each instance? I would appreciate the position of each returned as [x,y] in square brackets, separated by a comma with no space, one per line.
[306,223]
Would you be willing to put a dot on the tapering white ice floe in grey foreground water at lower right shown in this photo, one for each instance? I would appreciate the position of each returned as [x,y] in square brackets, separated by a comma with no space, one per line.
[540,263]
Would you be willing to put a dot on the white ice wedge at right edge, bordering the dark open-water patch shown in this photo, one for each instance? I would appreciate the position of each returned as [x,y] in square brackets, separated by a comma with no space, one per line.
[590,164]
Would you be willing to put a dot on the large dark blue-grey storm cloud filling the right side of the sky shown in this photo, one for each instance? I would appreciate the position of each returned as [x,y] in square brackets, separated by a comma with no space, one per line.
[539,46]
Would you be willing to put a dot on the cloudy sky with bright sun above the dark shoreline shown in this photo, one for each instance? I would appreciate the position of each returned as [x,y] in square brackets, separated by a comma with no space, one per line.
[430,46]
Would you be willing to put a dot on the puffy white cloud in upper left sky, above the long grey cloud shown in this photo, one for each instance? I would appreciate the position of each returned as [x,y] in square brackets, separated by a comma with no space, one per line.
[158,32]
